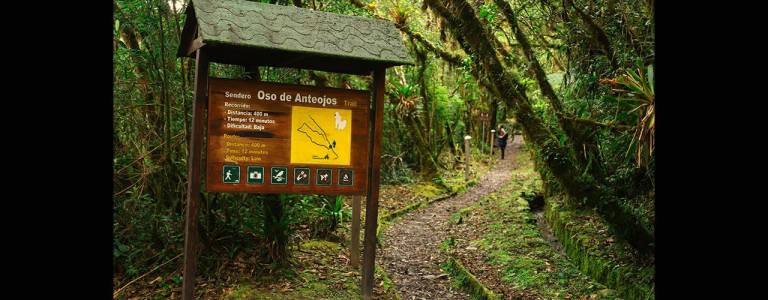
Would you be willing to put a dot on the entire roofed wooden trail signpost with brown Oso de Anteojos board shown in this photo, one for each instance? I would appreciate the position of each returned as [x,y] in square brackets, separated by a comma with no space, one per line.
[277,138]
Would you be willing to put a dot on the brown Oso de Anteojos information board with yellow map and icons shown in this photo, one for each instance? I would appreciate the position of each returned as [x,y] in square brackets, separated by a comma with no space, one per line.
[278,138]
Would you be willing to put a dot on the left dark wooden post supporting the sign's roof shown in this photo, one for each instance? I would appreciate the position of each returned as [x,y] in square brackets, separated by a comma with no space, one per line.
[193,179]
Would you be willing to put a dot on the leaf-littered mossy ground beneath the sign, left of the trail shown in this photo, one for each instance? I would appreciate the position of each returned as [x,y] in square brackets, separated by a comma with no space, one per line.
[319,268]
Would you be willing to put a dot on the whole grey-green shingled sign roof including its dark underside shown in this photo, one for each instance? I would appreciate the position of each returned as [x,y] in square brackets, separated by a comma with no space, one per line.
[253,33]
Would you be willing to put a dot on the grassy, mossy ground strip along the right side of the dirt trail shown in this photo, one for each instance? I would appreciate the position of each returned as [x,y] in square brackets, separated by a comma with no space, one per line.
[508,250]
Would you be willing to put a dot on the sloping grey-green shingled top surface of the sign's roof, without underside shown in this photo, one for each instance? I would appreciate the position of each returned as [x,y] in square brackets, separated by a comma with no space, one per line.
[293,29]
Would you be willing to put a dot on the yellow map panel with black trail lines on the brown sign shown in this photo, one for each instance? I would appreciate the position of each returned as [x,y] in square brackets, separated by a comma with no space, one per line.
[321,136]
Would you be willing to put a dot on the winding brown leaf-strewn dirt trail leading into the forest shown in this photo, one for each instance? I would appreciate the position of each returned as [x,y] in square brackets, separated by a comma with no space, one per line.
[410,252]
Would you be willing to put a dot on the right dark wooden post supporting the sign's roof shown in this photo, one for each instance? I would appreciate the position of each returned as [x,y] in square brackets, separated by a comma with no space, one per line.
[374,173]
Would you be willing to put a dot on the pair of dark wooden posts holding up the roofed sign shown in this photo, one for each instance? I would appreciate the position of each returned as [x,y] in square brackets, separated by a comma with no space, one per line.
[373,174]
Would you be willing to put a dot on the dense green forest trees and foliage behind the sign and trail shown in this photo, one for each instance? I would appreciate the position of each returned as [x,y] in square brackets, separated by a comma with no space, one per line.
[598,121]
